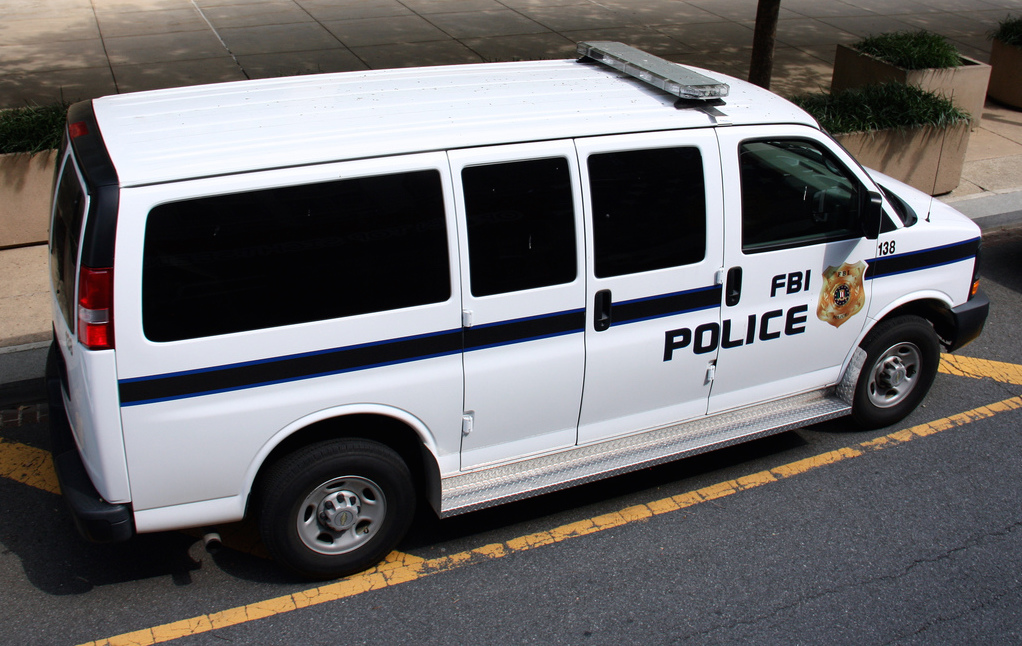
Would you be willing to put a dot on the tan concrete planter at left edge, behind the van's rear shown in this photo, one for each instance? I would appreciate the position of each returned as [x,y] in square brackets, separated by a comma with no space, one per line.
[26,182]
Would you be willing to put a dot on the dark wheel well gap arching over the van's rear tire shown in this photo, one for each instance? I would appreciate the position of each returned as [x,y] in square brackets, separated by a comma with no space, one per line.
[387,431]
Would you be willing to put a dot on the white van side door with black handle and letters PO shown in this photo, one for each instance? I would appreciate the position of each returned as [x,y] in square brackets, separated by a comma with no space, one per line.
[654,222]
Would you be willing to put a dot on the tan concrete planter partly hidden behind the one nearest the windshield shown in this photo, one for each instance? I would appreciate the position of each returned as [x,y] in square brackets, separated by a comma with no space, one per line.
[965,85]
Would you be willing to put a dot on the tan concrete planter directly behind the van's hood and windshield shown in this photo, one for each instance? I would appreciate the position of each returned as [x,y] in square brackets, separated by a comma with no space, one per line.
[927,158]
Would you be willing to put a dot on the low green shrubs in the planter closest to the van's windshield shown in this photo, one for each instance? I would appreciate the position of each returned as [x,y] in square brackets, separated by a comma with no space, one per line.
[879,108]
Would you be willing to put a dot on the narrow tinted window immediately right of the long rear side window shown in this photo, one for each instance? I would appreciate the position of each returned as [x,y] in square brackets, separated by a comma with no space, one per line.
[521,225]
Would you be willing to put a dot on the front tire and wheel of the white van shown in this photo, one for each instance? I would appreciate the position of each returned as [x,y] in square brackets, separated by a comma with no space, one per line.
[902,358]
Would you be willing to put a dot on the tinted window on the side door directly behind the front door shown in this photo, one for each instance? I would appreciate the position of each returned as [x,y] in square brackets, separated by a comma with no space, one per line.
[649,210]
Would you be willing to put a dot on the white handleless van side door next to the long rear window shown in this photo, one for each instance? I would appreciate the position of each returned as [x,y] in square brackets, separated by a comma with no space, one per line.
[524,299]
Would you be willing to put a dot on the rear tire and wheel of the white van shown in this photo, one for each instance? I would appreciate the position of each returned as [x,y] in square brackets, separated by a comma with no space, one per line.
[335,509]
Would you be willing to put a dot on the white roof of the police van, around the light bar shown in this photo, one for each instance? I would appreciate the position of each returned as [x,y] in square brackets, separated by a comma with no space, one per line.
[204,131]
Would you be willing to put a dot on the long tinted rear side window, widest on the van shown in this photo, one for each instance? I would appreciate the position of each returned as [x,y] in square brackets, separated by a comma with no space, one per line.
[296,255]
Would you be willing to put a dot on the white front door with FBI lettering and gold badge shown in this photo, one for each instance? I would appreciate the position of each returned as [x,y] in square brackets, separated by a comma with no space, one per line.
[796,299]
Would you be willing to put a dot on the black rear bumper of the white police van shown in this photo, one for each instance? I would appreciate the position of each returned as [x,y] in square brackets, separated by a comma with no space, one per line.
[96,519]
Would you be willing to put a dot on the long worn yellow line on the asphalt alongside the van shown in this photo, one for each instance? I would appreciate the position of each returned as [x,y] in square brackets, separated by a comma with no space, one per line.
[402,568]
